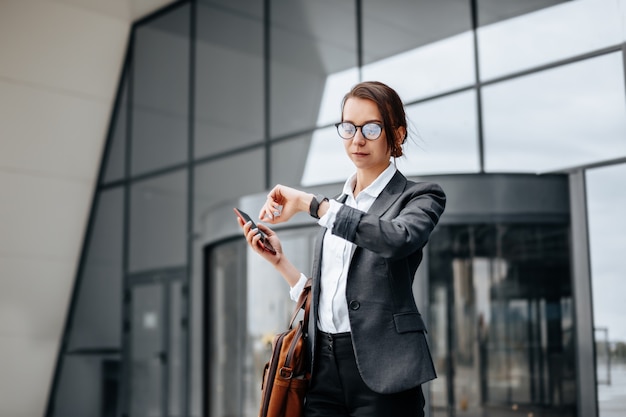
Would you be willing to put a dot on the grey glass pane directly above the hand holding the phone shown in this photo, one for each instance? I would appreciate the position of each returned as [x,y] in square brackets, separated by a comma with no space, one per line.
[227,179]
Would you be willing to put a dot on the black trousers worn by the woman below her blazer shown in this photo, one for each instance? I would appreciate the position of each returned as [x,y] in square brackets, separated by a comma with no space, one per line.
[337,388]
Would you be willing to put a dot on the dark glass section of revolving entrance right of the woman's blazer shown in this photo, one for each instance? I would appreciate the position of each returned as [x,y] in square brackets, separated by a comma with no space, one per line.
[501,327]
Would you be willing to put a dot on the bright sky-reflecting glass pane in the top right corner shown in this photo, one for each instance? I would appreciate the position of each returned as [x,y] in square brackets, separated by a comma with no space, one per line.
[548,35]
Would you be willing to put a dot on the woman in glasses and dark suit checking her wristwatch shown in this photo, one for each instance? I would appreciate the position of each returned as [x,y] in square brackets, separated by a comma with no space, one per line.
[367,340]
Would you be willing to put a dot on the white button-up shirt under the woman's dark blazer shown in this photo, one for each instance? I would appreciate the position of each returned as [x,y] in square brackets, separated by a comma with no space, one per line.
[337,254]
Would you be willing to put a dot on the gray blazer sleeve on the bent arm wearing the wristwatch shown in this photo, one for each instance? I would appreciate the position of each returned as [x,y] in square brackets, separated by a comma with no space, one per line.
[402,229]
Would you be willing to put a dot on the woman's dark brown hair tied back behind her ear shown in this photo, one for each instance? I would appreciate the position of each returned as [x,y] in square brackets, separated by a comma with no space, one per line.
[390,107]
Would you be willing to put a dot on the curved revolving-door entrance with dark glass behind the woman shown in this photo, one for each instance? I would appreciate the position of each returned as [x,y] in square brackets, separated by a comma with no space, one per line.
[495,286]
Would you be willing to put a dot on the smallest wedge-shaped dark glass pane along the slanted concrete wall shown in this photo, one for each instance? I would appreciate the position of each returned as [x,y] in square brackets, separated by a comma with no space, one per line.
[116,158]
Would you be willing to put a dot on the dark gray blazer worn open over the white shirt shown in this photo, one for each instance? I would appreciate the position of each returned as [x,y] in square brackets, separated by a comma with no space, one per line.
[388,333]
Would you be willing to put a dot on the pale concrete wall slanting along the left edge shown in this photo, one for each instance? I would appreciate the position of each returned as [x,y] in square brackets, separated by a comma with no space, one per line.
[60,62]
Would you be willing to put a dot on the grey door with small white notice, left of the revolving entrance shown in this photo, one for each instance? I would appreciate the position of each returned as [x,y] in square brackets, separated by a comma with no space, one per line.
[156,344]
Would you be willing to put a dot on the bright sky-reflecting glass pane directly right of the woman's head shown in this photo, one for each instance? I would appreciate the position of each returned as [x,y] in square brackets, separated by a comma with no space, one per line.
[442,136]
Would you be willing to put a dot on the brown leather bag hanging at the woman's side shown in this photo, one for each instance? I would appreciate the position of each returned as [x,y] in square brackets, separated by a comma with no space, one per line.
[286,375]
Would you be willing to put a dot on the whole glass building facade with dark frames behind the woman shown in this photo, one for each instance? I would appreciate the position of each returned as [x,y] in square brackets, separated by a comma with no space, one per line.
[517,108]
